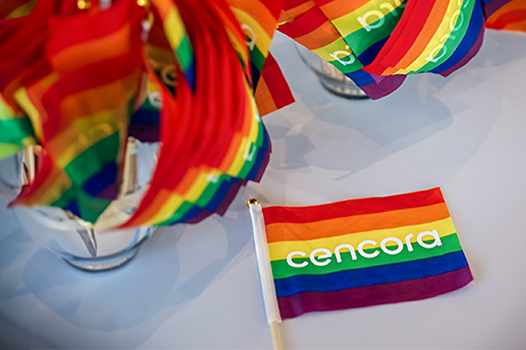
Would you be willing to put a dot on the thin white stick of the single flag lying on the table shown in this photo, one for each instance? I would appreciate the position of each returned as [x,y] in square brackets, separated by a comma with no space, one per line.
[265,272]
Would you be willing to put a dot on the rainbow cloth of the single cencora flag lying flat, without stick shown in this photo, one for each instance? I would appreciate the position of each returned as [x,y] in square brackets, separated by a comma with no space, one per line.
[364,252]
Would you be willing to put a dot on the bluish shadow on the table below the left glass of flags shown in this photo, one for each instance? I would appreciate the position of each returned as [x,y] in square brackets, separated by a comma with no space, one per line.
[137,299]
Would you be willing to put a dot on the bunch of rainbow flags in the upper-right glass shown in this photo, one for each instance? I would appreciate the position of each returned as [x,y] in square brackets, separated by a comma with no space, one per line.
[376,43]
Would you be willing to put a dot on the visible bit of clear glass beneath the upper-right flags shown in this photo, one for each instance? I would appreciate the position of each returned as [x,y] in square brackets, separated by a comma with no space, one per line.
[330,77]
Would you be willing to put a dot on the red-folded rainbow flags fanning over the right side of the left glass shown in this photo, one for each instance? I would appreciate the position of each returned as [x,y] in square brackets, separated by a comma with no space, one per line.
[211,132]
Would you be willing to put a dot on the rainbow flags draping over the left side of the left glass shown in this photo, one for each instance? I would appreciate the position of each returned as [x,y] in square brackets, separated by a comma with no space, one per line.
[78,87]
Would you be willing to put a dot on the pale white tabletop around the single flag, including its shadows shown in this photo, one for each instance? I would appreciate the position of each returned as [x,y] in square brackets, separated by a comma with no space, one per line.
[197,287]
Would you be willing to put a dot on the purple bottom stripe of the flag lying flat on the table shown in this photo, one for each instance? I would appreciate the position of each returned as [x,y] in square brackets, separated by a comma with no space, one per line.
[387,293]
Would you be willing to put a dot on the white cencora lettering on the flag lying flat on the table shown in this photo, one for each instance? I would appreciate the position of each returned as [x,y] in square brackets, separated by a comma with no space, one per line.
[389,245]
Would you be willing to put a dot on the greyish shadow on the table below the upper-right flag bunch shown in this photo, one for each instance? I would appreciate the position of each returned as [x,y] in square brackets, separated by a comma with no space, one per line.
[322,131]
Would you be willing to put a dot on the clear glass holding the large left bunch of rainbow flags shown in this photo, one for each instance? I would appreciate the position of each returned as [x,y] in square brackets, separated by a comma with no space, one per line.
[77,241]
